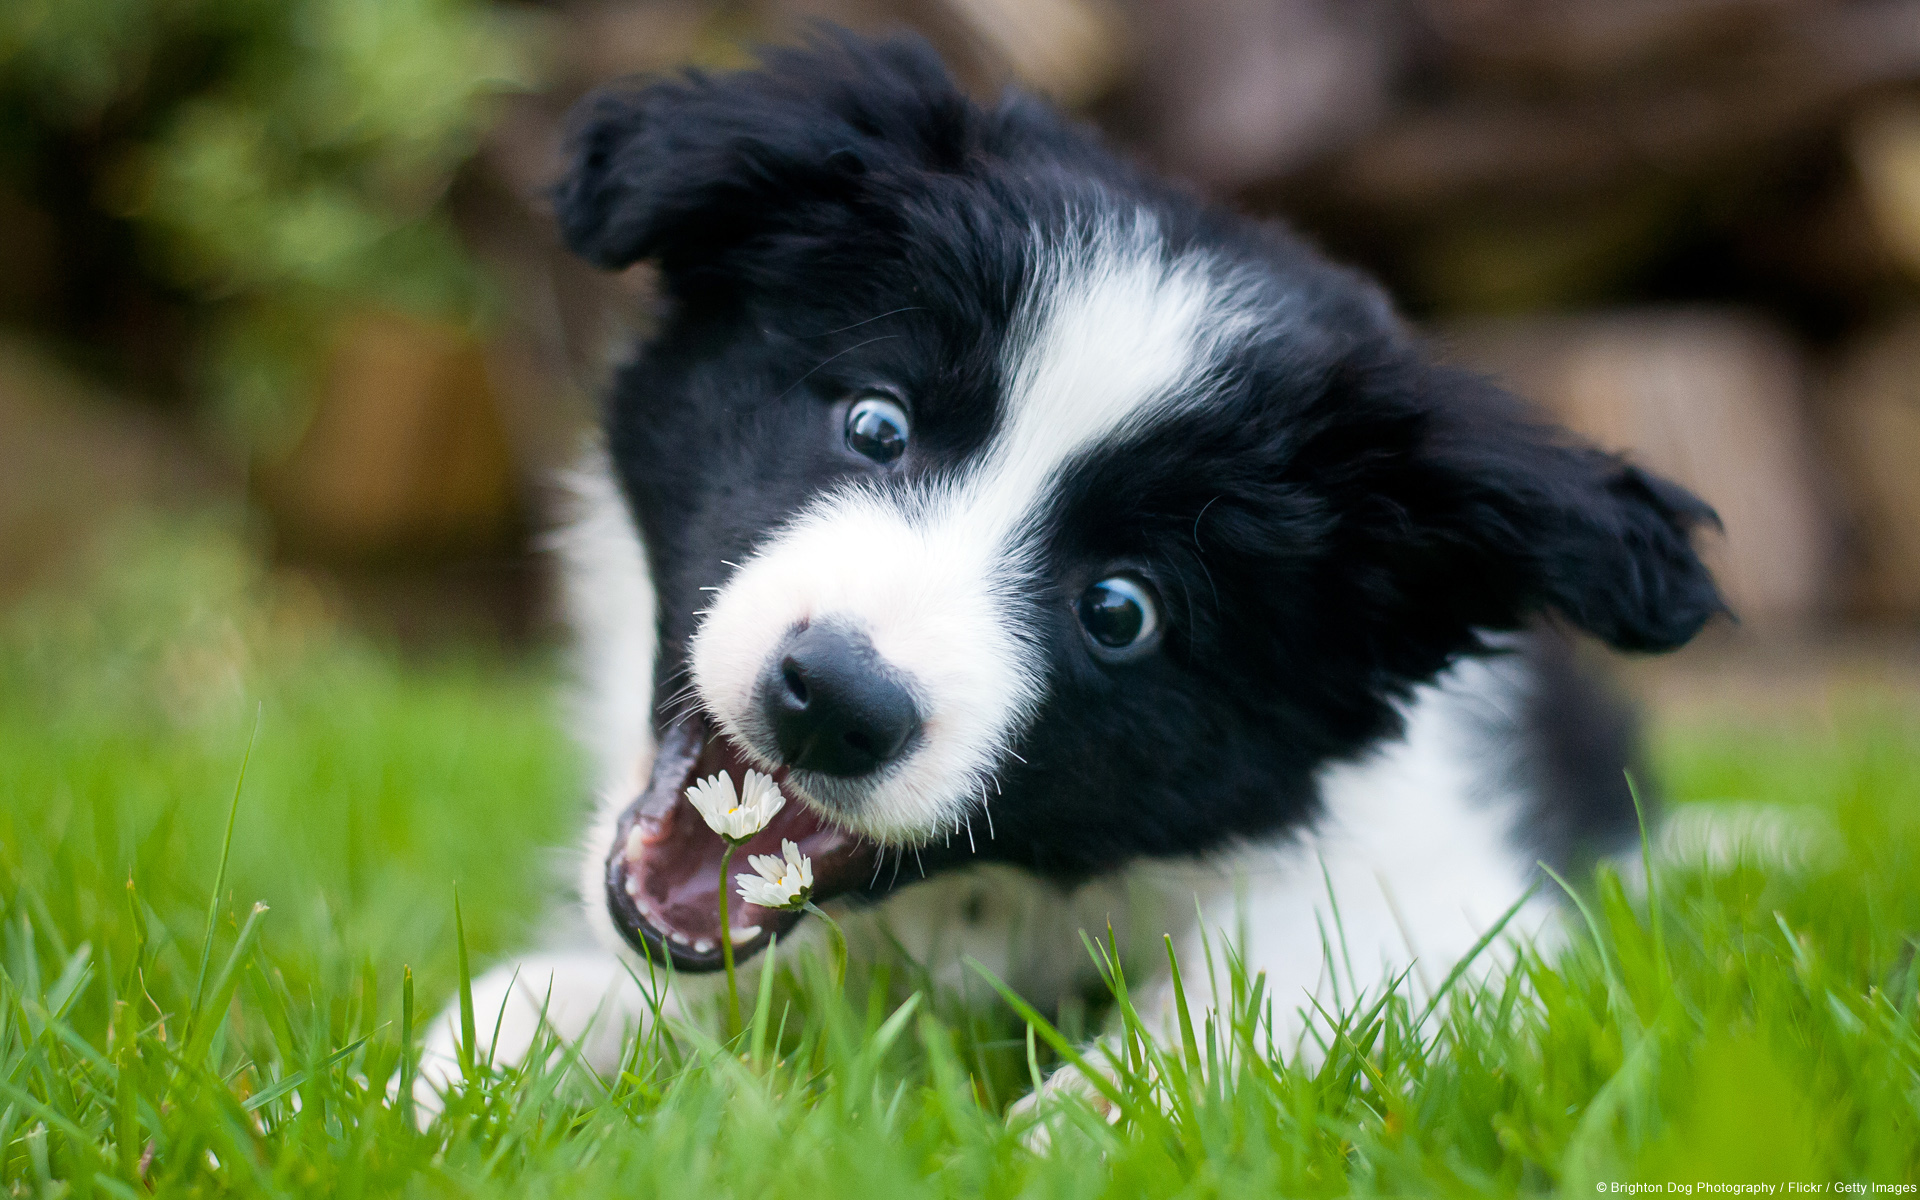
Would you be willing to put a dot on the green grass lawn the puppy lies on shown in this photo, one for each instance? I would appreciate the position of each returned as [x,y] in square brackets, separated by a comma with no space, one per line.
[1760,1026]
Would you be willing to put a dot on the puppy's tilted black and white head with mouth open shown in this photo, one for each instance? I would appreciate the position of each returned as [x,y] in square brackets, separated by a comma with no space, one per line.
[1007,504]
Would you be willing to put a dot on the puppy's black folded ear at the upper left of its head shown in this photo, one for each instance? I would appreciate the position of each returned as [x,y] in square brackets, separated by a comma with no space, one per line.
[688,170]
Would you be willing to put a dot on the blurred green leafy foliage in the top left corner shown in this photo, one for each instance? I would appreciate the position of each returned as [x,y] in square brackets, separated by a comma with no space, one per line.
[277,160]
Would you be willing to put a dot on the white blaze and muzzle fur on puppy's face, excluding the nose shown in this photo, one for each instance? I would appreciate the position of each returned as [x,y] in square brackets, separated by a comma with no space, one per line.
[1111,335]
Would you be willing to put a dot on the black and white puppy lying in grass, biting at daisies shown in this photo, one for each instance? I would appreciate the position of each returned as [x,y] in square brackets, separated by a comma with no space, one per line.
[1070,552]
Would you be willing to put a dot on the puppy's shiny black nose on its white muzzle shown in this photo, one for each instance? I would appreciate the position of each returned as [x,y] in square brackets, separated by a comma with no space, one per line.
[836,708]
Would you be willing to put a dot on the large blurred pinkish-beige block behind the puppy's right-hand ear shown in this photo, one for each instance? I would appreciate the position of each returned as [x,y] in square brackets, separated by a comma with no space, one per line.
[1708,398]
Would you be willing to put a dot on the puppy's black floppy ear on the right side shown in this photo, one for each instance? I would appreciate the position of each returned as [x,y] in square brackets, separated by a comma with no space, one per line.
[1525,521]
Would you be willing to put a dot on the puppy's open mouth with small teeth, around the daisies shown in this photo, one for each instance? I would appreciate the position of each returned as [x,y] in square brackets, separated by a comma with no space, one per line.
[663,873]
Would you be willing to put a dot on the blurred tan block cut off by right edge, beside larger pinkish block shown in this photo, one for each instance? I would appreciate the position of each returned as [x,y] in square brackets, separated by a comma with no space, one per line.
[1871,418]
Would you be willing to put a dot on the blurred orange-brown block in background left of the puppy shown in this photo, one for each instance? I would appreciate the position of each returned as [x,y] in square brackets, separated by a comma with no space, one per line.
[406,452]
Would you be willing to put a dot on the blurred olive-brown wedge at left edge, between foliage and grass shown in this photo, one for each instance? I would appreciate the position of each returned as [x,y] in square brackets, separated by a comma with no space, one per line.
[74,460]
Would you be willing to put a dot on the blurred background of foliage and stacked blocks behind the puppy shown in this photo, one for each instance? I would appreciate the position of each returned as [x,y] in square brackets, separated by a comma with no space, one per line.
[289,262]
